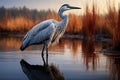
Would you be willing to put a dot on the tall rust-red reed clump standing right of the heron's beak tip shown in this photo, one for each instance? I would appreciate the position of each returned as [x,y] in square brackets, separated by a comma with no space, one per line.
[89,22]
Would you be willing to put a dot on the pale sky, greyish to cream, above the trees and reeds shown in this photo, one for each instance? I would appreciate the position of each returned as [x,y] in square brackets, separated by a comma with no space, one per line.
[55,4]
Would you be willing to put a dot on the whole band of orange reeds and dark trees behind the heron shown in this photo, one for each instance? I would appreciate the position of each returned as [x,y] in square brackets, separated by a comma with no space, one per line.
[91,24]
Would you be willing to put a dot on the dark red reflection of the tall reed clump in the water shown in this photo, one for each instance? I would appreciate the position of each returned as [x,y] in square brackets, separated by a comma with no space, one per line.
[89,57]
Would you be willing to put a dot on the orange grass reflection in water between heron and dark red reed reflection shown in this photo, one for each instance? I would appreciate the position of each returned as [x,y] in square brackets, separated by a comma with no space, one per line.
[73,45]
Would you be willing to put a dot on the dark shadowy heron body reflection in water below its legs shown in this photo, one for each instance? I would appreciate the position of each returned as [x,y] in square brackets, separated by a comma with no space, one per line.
[40,72]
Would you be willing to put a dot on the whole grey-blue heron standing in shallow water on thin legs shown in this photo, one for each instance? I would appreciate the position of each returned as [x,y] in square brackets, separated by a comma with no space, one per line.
[47,32]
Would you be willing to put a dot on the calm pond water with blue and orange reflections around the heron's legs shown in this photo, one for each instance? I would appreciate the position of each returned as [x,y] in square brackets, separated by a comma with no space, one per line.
[75,59]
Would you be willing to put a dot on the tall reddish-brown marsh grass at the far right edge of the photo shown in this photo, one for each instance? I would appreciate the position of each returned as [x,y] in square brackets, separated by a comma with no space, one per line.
[113,24]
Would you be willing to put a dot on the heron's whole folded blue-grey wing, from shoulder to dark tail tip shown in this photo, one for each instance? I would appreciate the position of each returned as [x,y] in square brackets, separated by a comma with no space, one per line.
[38,33]
